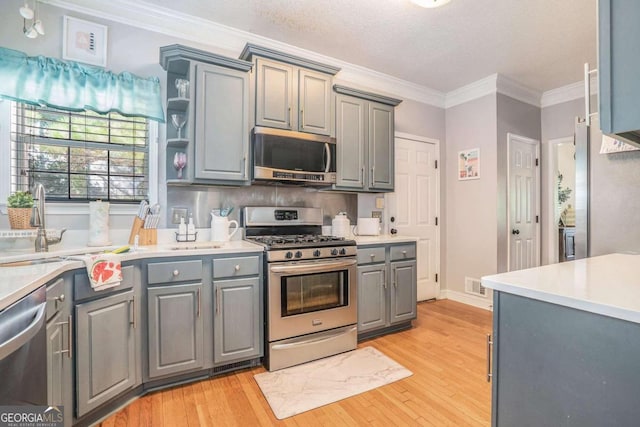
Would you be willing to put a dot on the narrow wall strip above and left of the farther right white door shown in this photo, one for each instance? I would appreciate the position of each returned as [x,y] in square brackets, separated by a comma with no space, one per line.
[521,119]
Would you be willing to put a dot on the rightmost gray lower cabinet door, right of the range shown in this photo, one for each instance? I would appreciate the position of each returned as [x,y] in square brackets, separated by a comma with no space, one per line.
[403,291]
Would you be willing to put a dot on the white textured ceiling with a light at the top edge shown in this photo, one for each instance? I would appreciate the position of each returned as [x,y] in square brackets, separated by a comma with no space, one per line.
[541,44]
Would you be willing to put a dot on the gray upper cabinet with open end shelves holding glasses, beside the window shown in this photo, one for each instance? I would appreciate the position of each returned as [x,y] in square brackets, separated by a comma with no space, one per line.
[215,137]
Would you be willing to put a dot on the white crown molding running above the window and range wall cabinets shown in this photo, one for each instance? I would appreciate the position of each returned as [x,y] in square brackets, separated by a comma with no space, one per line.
[158,19]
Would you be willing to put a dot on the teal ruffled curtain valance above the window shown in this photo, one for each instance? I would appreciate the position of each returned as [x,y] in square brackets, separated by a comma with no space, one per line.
[68,85]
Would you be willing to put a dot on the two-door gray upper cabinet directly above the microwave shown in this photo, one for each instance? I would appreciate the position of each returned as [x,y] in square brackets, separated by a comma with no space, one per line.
[290,92]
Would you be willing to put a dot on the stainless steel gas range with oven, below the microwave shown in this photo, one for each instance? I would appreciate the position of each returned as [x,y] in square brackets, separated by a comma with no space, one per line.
[311,285]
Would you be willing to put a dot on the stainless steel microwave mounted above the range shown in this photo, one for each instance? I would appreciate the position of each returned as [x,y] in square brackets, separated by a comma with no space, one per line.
[293,157]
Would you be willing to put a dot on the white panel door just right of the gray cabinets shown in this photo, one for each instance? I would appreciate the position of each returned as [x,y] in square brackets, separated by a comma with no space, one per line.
[415,206]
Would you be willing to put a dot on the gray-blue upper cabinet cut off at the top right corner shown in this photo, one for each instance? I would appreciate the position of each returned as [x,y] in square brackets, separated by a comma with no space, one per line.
[618,64]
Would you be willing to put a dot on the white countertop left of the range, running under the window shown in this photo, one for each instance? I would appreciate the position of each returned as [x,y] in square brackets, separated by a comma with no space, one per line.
[18,281]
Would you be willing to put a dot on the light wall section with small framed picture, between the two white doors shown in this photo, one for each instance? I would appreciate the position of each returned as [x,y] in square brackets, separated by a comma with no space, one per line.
[471,245]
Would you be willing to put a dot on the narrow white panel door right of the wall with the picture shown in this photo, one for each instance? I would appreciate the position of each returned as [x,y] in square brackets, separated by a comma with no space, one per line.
[524,184]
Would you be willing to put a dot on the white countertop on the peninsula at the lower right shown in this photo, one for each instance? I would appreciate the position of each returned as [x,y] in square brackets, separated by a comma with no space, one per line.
[608,285]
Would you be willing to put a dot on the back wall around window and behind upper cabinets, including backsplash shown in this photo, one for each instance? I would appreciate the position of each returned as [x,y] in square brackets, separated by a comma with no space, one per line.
[136,50]
